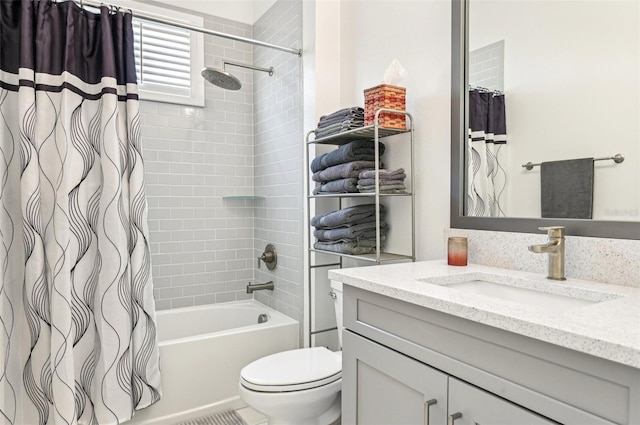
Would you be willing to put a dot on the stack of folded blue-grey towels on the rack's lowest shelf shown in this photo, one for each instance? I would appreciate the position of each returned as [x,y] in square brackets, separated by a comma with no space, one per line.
[351,230]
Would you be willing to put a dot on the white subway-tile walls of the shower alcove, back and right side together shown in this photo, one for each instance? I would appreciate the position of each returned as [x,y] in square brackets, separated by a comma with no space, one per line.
[204,248]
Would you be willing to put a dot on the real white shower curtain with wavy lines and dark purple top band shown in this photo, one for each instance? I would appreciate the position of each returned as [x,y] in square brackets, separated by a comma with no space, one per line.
[78,340]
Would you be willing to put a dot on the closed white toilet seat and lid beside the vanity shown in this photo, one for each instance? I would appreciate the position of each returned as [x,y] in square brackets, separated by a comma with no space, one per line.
[293,370]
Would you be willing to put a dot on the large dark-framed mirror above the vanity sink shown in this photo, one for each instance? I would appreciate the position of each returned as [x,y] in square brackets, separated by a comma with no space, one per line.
[616,215]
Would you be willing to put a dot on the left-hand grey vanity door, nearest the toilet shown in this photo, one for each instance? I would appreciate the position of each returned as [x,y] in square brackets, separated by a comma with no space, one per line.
[383,387]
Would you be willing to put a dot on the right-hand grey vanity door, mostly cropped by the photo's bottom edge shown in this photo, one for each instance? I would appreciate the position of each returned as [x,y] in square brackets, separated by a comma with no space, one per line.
[469,405]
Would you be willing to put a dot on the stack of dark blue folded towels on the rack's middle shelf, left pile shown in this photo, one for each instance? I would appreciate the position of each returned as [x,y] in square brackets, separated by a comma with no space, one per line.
[338,170]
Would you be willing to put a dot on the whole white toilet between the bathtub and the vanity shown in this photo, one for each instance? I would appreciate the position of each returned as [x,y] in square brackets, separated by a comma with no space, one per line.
[297,387]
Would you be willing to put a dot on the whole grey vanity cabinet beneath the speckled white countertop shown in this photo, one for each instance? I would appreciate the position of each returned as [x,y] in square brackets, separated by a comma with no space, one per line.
[397,356]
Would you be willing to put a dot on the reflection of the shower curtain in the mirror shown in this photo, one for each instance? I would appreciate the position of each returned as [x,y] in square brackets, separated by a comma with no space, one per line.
[486,177]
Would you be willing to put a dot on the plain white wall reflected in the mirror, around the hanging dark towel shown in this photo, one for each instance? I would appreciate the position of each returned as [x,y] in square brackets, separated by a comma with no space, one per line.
[563,104]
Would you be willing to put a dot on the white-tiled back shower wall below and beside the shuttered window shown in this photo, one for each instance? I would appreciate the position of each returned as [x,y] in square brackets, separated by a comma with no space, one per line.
[202,245]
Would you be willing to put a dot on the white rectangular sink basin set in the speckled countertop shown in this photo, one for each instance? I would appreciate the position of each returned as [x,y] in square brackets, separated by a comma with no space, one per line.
[534,293]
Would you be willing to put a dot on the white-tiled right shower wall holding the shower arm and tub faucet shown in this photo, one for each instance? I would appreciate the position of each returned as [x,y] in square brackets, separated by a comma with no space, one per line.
[279,144]
